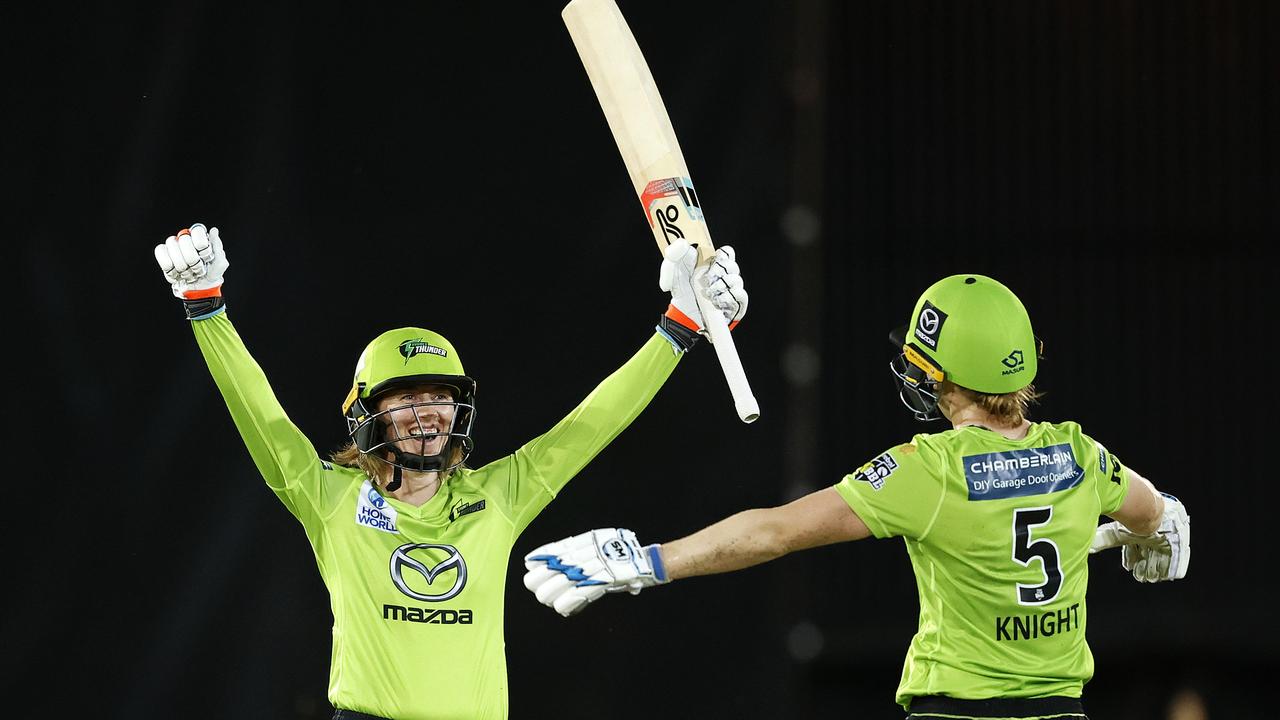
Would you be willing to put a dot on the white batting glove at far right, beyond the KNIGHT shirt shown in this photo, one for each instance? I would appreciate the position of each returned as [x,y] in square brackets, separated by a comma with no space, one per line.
[1158,558]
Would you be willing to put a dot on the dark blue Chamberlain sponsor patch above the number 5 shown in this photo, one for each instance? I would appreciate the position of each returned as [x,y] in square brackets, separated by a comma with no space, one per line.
[1017,473]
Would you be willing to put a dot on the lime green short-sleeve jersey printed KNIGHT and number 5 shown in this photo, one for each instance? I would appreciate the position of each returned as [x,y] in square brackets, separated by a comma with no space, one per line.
[999,535]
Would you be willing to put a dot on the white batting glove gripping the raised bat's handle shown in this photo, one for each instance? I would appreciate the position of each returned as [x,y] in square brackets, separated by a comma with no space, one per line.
[720,281]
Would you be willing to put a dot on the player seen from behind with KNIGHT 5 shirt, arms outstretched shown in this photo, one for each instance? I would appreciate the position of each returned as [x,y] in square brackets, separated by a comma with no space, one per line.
[999,514]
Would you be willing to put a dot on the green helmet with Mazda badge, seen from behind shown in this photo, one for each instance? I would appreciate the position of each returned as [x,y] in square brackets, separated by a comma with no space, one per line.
[970,330]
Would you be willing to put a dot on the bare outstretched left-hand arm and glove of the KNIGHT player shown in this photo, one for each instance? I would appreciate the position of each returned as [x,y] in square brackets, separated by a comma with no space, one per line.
[575,572]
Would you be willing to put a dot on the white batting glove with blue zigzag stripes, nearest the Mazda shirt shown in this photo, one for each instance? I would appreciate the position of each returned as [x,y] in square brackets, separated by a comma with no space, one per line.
[570,575]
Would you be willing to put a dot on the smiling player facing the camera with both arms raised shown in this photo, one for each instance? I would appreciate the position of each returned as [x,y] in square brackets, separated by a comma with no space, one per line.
[413,545]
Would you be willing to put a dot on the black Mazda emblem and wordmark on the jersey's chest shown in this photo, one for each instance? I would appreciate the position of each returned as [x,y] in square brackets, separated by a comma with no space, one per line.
[428,573]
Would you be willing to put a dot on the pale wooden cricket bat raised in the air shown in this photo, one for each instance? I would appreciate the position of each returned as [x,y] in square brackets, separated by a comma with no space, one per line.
[643,131]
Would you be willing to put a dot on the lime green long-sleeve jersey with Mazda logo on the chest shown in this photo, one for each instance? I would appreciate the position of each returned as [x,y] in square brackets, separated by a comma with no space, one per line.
[418,593]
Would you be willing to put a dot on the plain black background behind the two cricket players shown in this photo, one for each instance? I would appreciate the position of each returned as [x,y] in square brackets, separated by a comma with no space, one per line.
[383,165]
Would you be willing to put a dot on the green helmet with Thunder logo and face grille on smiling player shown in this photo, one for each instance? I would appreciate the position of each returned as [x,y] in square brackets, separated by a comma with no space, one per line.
[396,361]
